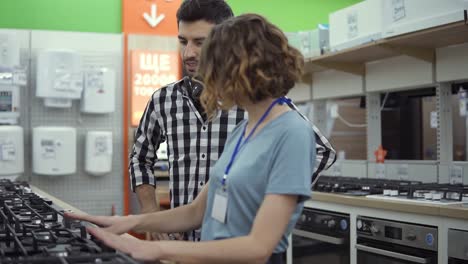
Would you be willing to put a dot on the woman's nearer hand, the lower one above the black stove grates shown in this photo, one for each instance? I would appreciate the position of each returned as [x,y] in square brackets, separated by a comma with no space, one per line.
[141,250]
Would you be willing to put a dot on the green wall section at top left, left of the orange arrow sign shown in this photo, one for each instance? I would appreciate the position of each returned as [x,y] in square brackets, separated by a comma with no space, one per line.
[68,15]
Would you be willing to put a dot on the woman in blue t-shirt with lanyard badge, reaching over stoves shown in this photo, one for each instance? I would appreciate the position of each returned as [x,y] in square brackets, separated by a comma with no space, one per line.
[258,186]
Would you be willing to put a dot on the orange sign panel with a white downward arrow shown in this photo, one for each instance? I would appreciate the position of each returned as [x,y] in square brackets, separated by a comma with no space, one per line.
[150,16]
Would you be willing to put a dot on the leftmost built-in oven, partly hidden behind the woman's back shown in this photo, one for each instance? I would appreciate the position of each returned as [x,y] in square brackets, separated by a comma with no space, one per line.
[321,237]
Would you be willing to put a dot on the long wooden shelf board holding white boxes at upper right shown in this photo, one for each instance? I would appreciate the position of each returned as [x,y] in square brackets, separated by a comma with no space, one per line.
[420,44]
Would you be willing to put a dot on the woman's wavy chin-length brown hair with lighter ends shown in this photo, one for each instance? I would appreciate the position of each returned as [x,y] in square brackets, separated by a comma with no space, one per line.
[246,57]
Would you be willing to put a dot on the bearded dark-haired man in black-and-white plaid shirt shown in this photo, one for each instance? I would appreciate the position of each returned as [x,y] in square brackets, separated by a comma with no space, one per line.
[174,115]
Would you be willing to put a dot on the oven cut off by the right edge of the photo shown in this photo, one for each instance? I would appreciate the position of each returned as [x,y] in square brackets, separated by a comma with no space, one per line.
[457,246]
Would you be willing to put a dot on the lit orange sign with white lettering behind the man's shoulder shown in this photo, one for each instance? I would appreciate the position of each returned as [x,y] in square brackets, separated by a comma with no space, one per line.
[150,70]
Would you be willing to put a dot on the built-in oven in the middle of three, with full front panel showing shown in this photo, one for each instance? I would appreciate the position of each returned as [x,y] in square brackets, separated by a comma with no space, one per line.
[391,242]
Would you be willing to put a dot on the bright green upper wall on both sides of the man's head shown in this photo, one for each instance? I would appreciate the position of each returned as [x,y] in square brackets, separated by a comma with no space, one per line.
[105,15]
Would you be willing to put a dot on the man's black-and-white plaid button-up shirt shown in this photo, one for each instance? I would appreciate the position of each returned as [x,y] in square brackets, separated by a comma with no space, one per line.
[193,145]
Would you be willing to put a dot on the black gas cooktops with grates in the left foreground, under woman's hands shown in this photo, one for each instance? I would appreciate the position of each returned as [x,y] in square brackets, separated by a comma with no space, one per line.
[33,230]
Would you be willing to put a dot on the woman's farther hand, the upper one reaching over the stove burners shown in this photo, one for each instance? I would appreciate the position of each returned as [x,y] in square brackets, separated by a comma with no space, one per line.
[113,224]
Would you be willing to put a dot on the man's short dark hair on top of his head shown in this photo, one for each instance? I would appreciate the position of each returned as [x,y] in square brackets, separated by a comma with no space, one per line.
[213,11]
